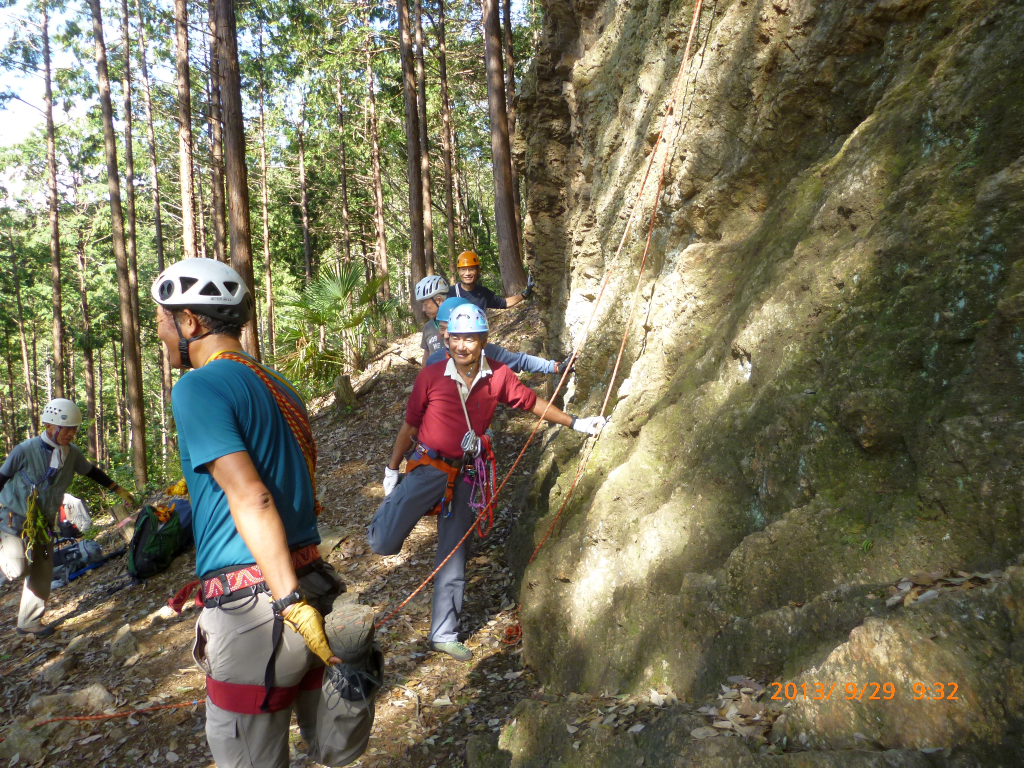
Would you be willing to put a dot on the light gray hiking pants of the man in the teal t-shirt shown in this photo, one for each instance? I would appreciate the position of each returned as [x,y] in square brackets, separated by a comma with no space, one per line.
[233,646]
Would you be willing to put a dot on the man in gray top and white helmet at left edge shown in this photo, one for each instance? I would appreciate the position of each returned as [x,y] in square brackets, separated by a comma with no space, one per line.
[42,467]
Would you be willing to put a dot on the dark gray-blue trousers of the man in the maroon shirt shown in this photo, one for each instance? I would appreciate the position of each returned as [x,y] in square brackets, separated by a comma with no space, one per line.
[397,518]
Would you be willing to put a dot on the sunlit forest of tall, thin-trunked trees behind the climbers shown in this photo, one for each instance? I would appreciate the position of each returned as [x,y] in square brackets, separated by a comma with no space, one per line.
[332,152]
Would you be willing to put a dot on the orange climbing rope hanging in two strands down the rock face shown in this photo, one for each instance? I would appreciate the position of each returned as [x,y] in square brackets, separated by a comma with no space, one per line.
[670,113]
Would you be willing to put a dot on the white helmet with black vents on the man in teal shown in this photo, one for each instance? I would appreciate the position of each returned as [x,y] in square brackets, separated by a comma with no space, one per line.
[207,287]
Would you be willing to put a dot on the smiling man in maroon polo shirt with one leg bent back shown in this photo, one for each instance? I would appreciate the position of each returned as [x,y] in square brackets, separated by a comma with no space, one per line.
[451,408]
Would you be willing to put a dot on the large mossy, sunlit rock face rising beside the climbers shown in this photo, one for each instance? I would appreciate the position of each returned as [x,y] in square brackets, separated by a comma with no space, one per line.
[826,368]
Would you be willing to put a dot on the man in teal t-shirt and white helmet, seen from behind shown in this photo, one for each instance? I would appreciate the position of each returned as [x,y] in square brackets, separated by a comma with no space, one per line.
[274,614]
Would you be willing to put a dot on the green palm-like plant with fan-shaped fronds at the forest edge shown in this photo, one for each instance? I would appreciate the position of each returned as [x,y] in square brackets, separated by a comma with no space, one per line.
[331,327]
